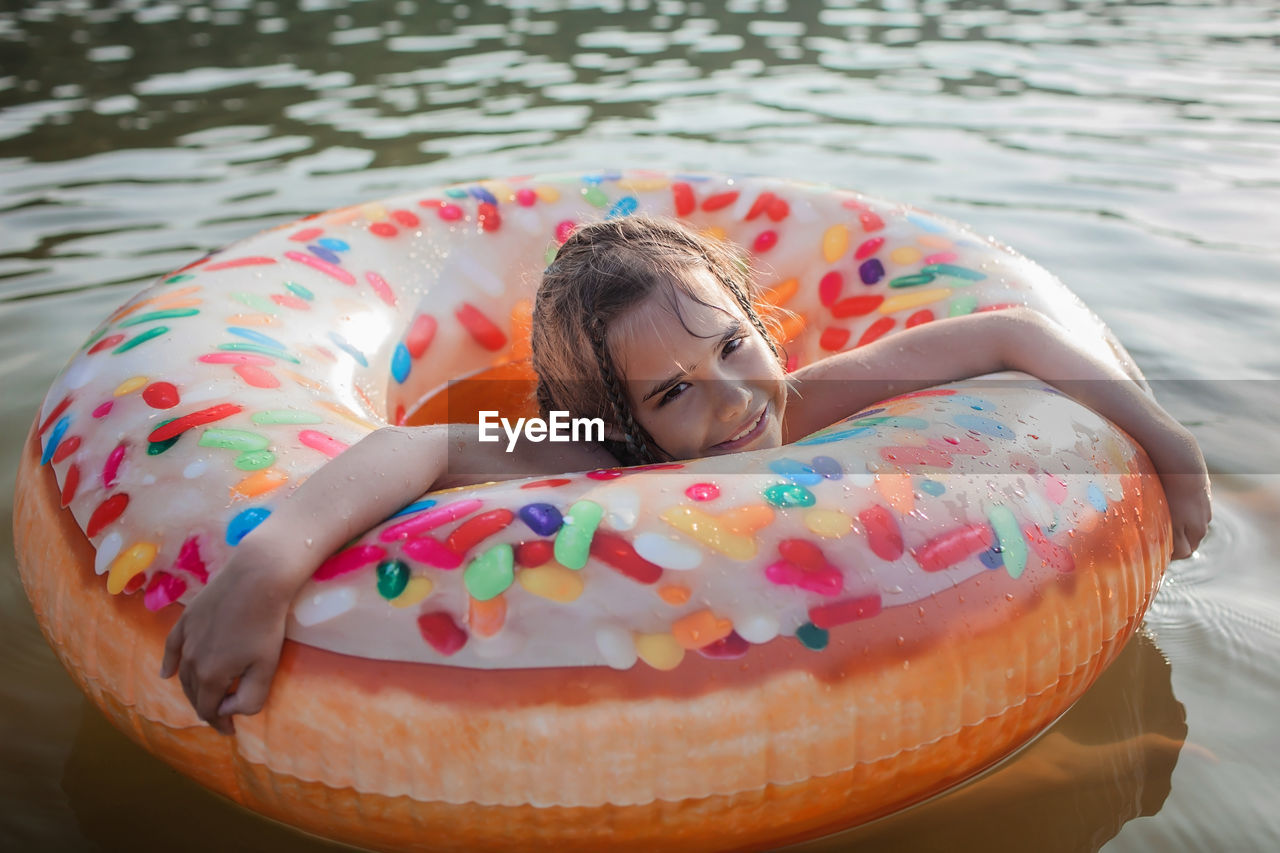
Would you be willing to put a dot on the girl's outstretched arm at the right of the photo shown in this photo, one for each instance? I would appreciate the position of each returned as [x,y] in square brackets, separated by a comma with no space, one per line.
[1012,340]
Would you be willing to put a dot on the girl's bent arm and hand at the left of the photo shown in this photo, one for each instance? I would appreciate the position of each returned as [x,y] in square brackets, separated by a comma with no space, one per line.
[235,630]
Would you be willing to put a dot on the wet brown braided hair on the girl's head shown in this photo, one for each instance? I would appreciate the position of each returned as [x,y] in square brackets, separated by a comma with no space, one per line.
[601,272]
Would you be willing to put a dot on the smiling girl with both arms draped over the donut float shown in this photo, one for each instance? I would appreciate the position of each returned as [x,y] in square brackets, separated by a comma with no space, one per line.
[651,327]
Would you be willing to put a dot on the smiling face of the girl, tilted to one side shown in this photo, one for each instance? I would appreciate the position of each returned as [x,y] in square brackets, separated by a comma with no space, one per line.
[700,378]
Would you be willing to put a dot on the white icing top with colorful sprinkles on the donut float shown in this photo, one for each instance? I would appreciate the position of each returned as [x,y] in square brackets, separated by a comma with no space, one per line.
[202,403]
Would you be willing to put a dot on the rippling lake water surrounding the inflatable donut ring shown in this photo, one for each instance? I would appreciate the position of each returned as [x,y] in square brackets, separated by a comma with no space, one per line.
[1132,148]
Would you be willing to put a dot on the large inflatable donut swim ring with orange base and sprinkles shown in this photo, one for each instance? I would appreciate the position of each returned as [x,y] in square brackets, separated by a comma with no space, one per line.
[692,656]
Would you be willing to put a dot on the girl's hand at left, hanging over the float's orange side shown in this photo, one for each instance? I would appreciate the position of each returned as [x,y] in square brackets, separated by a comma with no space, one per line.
[232,632]
